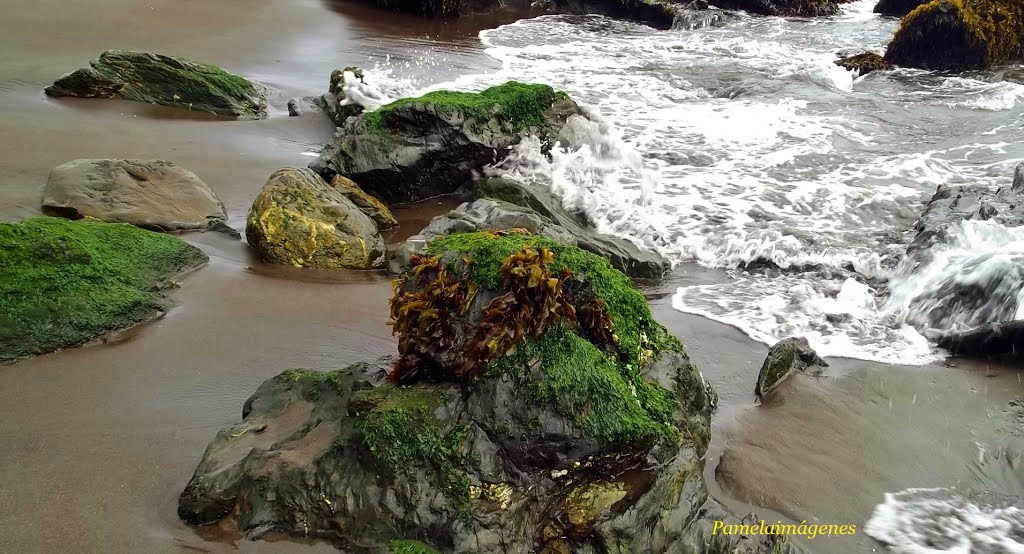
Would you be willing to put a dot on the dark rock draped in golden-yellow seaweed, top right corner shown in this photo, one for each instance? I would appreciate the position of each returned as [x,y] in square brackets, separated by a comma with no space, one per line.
[959,35]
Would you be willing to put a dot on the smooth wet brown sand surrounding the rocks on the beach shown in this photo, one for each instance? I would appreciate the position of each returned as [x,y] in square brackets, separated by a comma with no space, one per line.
[99,442]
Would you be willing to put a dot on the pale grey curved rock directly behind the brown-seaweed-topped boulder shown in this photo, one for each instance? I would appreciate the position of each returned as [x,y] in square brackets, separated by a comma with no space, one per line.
[484,215]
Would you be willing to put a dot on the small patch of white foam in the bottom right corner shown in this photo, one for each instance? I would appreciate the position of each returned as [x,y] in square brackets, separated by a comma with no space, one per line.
[940,521]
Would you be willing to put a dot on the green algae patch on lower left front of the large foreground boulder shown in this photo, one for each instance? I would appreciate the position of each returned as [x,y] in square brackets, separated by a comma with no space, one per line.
[401,430]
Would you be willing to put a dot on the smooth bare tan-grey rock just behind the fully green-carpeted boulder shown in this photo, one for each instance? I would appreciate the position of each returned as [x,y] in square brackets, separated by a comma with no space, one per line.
[151,194]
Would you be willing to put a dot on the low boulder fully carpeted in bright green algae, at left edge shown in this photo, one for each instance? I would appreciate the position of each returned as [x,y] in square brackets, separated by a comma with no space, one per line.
[65,283]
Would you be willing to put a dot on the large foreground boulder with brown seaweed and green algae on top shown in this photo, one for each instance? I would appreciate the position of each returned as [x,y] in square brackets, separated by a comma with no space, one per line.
[535,406]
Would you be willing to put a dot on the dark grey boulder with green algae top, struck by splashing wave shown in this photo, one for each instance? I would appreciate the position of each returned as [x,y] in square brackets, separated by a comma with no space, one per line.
[420,148]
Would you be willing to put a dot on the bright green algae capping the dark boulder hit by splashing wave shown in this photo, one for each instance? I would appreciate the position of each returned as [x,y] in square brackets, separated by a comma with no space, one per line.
[520,106]
